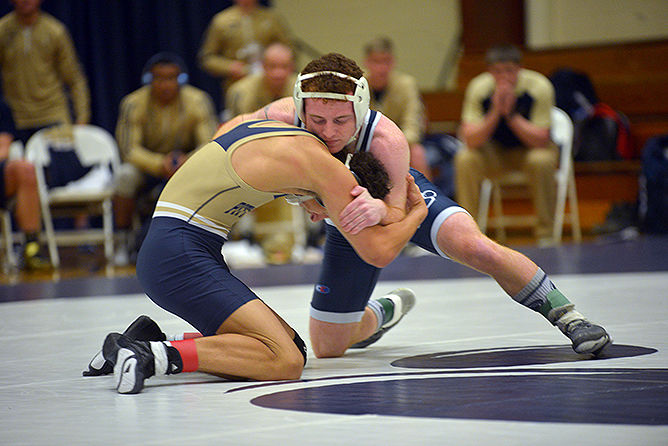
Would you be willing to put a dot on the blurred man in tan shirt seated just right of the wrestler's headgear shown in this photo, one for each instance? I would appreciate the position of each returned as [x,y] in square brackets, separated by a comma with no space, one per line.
[396,95]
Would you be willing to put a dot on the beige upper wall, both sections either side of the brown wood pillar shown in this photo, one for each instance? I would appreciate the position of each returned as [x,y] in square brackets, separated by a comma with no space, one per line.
[425,32]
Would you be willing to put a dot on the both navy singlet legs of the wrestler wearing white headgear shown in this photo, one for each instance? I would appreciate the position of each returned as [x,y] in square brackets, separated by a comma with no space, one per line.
[346,281]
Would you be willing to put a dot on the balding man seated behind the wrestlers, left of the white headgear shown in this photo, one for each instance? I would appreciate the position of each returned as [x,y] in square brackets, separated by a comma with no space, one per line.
[275,81]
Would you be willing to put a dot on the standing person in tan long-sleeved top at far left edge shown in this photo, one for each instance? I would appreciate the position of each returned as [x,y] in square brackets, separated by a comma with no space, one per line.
[38,64]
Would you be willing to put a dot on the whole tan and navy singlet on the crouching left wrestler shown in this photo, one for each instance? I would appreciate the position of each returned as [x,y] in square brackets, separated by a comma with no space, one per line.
[180,264]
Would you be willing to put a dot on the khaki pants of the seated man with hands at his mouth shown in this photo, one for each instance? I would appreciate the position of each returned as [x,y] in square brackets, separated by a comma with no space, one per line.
[492,161]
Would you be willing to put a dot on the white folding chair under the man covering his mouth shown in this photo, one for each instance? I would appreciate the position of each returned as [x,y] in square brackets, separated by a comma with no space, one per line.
[561,132]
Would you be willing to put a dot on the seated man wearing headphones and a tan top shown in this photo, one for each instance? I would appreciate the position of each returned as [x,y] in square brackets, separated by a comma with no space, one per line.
[158,126]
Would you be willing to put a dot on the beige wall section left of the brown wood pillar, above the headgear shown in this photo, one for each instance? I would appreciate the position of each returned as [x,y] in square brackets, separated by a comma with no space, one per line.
[422,31]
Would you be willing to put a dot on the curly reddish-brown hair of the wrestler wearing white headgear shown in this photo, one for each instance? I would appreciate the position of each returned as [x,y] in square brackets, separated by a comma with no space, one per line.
[331,84]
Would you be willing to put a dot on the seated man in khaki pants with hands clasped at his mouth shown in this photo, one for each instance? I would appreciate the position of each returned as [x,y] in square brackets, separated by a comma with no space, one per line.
[505,127]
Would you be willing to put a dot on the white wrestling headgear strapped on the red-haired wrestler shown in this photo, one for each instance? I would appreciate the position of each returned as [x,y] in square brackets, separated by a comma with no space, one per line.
[360,98]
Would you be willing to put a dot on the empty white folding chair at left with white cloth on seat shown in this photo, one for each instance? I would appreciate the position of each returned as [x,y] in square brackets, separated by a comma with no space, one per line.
[95,147]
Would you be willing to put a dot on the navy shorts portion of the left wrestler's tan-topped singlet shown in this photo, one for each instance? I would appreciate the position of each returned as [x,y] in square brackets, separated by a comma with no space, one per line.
[182,270]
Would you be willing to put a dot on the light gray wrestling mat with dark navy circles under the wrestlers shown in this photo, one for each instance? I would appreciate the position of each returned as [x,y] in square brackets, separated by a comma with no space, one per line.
[466,366]
